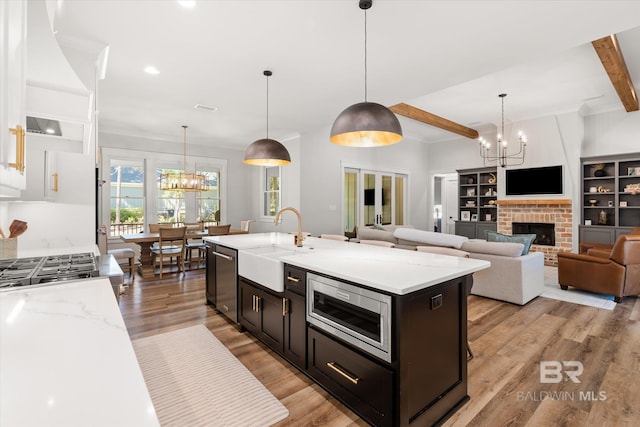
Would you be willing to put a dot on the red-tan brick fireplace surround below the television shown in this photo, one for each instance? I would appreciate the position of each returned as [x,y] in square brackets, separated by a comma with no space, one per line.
[547,211]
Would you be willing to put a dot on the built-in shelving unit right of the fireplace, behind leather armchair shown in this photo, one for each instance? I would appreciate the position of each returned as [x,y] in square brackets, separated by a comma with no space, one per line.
[610,197]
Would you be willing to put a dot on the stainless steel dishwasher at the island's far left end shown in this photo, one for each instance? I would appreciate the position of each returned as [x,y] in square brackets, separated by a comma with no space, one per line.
[226,281]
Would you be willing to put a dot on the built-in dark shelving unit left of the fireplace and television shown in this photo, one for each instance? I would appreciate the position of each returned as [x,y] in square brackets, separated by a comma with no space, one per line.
[477,208]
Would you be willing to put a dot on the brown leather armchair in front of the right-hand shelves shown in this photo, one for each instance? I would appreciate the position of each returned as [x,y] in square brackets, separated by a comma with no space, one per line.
[617,275]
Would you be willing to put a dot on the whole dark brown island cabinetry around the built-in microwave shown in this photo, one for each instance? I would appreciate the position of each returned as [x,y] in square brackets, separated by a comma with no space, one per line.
[421,382]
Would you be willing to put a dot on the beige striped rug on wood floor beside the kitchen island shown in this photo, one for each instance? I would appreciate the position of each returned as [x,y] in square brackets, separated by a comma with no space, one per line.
[194,380]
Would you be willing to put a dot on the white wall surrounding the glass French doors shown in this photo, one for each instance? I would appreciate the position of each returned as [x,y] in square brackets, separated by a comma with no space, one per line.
[321,180]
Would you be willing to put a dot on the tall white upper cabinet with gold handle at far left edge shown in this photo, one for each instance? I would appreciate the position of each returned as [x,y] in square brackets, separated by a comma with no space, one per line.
[13,54]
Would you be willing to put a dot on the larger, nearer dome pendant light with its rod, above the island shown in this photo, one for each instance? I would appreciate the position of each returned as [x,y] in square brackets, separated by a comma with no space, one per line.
[366,124]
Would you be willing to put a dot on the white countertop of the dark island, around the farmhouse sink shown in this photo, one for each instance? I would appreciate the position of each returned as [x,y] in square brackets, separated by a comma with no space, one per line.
[396,271]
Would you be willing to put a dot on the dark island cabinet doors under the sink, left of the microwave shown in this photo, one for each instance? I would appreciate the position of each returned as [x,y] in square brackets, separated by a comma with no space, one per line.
[277,319]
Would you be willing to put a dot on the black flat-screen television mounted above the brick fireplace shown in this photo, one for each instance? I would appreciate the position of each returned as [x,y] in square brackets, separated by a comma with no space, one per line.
[545,180]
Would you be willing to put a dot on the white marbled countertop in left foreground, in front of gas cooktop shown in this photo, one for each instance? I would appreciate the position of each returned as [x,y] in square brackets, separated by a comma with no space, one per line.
[66,359]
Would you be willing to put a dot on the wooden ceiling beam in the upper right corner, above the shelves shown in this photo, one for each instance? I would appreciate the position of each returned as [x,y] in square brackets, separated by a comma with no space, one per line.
[612,60]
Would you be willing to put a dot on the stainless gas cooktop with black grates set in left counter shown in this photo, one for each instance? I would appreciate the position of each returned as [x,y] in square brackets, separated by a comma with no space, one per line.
[15,273]
